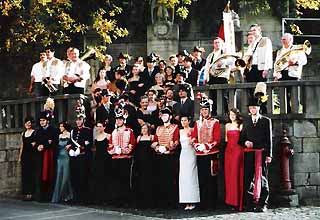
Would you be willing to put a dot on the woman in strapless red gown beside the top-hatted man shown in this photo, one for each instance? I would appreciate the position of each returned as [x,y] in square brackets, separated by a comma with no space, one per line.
[233,159]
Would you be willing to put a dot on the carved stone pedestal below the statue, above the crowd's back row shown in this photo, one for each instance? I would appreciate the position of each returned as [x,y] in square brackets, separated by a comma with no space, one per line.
[163,39]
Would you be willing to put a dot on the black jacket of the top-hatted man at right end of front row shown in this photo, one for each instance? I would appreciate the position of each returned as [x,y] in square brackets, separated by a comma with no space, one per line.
[260,134]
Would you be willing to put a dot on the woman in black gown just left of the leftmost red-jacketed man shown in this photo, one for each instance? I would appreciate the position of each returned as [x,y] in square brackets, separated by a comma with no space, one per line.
[102,163]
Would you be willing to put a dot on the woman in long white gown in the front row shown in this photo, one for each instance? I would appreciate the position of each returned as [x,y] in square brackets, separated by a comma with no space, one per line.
[188,175]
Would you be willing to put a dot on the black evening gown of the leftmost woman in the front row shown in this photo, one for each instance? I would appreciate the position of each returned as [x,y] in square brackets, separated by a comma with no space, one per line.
[28,164]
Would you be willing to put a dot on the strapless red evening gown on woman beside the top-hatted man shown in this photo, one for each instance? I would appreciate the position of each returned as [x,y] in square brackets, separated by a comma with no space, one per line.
[233,160]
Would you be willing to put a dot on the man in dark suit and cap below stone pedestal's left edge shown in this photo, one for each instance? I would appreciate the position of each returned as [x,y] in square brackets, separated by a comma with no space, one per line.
[148,74]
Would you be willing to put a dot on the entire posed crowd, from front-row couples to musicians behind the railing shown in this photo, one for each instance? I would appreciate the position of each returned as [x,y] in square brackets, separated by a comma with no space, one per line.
[139,143]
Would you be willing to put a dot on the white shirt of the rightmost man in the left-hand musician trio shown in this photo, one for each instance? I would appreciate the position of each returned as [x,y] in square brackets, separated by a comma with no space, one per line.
[78,68]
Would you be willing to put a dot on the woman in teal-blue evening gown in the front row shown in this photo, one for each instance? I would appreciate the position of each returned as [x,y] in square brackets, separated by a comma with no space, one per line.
[62,189]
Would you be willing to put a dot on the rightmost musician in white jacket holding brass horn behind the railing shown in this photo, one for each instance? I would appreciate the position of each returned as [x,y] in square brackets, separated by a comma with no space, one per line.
[289,62]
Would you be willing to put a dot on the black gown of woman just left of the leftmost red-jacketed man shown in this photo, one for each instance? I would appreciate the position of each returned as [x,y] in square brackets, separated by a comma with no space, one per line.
[101,172]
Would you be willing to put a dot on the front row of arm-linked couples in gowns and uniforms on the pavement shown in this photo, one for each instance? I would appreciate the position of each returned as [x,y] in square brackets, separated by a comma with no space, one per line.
[156,168]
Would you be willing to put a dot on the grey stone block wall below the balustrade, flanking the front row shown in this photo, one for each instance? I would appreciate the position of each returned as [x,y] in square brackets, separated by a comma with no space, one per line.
[304,135]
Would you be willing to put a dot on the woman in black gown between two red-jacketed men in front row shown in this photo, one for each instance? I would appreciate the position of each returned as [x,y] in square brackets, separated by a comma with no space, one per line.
[143,159]
